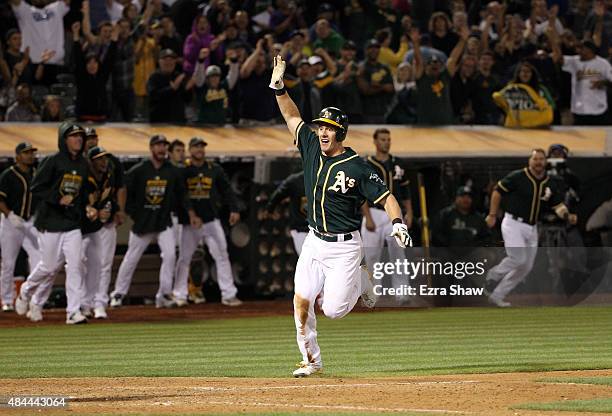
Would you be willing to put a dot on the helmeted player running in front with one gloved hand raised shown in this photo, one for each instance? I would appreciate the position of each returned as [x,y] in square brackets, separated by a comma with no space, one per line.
[337,183]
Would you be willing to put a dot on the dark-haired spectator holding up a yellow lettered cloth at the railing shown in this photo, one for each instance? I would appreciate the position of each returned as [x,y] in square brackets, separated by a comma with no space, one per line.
[525,100]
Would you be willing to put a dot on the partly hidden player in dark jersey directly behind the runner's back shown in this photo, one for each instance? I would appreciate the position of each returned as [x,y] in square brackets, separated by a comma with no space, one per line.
[293,188]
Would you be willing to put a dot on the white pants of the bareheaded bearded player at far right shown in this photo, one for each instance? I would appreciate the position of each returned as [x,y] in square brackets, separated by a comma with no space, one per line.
[521,243]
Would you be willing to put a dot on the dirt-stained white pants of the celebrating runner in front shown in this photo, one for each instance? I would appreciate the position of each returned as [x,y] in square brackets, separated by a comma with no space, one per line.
[333,267]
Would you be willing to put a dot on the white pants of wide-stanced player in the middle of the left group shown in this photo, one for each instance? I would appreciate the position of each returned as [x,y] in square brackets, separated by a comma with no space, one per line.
[137,244]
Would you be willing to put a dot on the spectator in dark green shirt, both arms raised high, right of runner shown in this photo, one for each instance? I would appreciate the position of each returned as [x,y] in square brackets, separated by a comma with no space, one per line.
[433,81]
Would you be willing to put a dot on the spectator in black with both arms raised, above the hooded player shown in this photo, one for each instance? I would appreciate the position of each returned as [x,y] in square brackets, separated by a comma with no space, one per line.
[91,75]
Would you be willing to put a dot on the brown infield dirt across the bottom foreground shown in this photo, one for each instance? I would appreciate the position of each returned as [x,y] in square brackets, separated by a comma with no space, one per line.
[474,394]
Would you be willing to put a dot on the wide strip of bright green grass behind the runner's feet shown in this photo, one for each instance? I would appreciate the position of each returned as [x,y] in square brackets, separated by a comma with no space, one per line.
[394,343]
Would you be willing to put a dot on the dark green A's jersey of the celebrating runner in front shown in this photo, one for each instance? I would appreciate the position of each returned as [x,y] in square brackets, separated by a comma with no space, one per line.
[336,187]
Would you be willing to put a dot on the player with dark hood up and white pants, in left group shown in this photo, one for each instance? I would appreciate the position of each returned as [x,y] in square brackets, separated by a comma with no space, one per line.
[58,185]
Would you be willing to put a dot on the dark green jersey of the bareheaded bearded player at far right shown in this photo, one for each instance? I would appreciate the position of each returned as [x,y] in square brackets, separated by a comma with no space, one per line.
[524,194]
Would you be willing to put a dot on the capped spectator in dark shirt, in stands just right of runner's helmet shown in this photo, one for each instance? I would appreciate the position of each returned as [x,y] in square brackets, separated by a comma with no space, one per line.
[375,84]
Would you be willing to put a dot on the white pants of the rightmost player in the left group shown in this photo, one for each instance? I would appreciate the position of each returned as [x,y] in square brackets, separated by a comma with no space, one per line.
[214,237]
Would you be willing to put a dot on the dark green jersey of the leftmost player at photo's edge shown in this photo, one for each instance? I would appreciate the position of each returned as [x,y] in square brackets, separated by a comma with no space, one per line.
[15,191]
